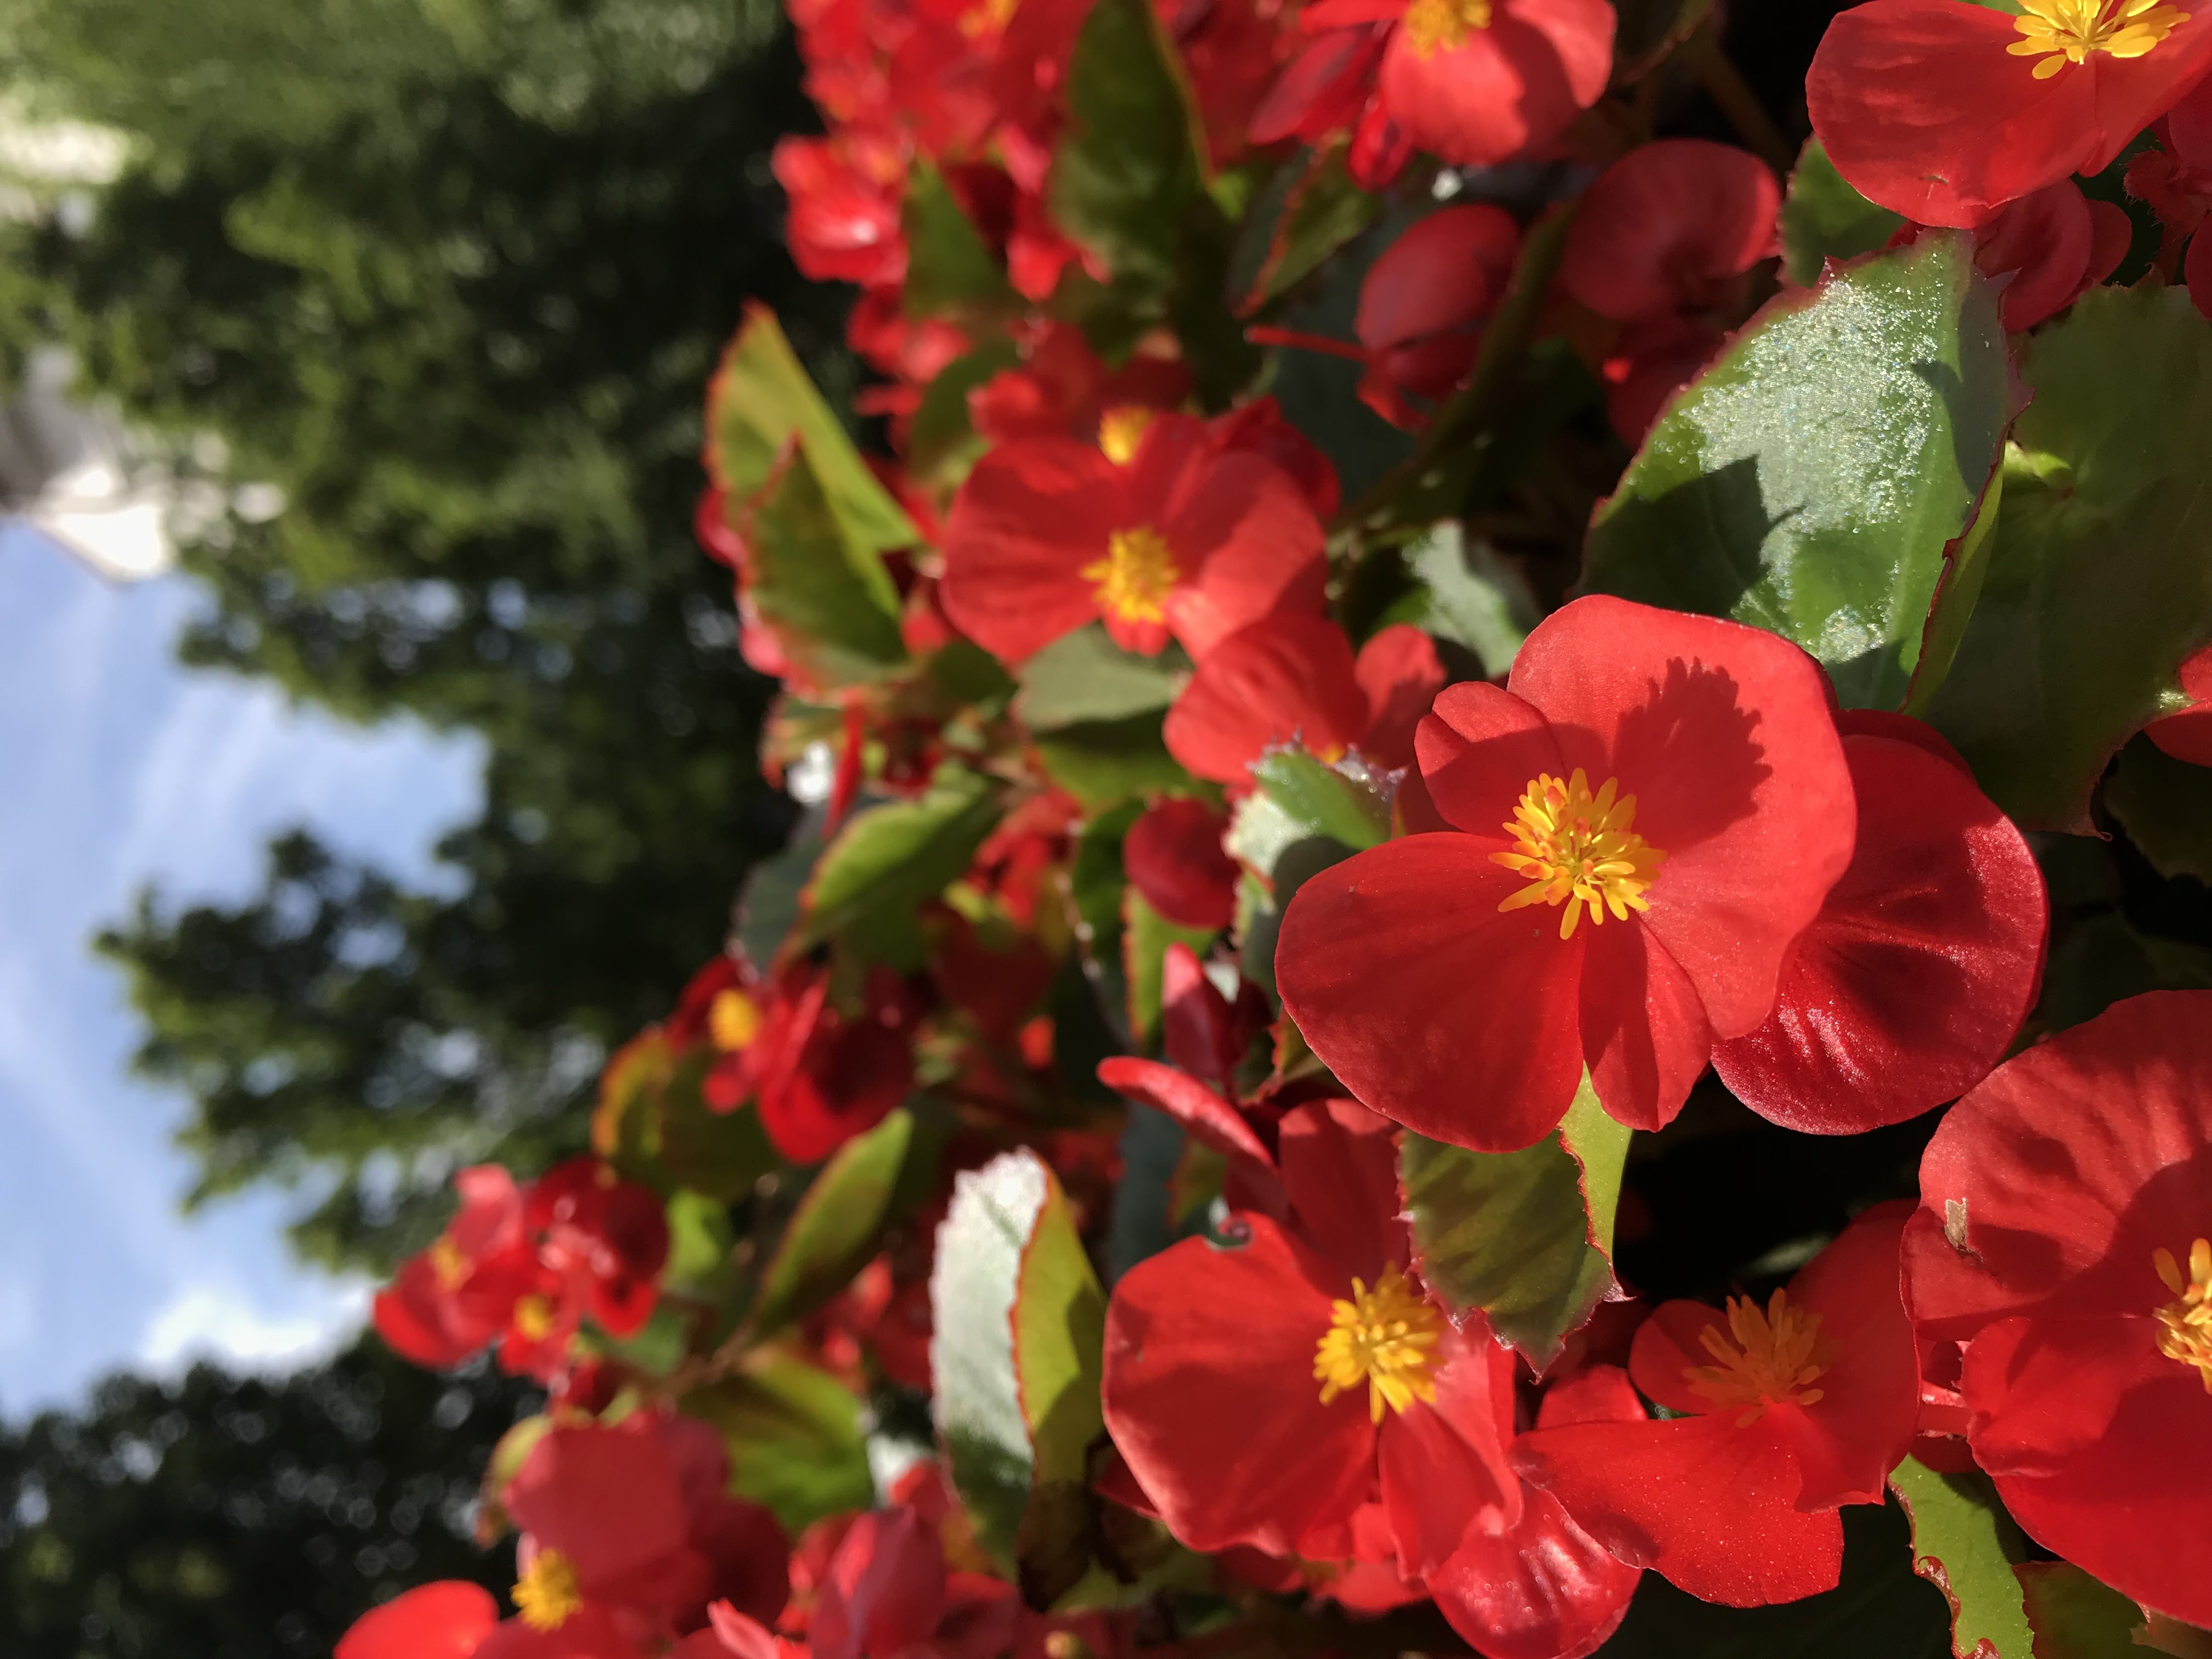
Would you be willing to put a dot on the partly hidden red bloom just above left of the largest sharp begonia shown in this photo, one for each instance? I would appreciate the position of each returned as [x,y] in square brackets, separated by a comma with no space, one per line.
[1295,680]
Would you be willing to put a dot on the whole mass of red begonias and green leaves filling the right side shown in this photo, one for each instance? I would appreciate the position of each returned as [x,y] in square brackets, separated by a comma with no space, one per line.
[1503,884]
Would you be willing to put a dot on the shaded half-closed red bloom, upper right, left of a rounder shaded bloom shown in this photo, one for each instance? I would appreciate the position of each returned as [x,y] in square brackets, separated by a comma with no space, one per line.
[1426,300]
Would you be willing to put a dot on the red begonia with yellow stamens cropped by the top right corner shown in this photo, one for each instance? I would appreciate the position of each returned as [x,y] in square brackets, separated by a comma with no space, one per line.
[1945,112]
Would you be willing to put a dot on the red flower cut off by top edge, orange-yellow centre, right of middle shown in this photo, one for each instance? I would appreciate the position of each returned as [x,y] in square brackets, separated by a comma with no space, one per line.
[1483,81]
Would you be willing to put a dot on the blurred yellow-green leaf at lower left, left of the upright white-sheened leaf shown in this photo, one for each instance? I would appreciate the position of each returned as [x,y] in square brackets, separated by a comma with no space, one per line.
[795,1439]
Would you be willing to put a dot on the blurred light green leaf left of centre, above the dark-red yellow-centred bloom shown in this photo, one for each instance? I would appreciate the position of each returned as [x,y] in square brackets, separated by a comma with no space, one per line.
[895,857]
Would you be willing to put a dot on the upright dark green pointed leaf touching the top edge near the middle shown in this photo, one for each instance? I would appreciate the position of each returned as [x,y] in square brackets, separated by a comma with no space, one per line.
[1131,167]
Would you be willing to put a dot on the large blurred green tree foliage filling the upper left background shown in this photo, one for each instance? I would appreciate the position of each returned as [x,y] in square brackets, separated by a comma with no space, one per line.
[450,275]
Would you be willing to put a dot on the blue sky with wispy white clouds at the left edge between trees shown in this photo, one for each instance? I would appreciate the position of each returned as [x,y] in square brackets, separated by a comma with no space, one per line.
[121,769]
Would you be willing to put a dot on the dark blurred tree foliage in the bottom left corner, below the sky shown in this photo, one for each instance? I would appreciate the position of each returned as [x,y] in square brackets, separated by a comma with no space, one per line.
[240,1519]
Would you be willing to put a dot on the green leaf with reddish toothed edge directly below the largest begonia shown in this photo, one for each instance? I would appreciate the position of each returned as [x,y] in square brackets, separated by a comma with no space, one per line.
[1525,1238]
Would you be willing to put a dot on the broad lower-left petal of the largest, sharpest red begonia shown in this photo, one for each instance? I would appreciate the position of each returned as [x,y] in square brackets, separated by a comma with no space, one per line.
[1432,1005]
